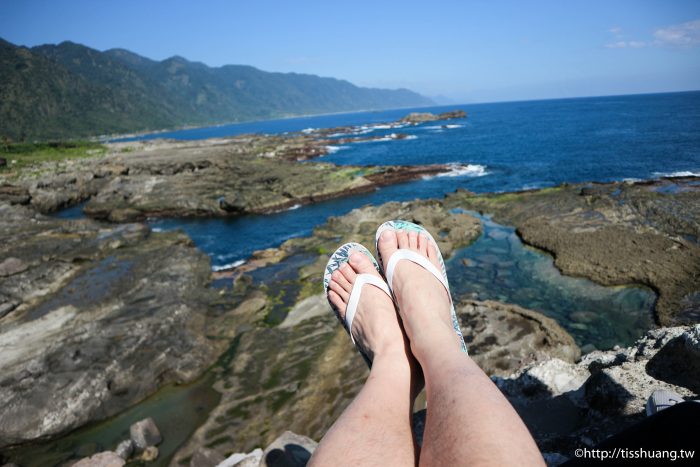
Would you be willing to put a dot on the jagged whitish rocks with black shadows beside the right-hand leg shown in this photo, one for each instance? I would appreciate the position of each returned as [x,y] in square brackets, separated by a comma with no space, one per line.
[569,405]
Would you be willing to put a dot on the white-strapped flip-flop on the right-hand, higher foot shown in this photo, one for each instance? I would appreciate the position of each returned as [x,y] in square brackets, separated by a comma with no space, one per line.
[403,254]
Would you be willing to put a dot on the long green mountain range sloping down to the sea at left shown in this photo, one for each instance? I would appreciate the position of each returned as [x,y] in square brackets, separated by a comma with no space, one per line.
[70,91]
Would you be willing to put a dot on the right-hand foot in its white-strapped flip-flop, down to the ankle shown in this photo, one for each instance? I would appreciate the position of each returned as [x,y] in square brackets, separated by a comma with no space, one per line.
[423,299]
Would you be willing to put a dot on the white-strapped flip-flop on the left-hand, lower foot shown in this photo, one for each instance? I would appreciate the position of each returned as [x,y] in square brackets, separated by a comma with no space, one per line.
[338,258]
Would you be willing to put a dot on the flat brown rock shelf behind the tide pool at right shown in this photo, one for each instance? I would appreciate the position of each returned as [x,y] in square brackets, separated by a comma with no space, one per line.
[615,234]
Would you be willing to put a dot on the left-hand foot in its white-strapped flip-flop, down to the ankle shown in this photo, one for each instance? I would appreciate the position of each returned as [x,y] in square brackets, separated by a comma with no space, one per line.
[375,327]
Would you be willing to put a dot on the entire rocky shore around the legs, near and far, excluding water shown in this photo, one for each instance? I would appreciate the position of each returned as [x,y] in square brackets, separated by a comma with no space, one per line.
[96,316]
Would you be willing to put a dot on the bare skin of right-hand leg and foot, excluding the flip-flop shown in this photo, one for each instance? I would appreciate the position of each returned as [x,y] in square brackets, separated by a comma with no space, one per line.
[469,421]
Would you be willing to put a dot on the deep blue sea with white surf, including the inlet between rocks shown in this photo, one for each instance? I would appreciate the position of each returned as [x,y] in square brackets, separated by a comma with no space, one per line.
[504,146]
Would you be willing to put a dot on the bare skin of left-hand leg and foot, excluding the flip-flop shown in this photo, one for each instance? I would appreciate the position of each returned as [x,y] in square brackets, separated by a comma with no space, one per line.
[375,429]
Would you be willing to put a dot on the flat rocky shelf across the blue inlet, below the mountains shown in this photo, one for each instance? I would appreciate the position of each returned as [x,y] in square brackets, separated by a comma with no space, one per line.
[213,178]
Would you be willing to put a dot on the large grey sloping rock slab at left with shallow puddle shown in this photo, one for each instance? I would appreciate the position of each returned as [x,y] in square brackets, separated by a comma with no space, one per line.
[101,316]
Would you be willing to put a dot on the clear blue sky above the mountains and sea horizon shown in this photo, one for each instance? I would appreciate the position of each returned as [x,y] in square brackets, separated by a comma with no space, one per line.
[466,50]
